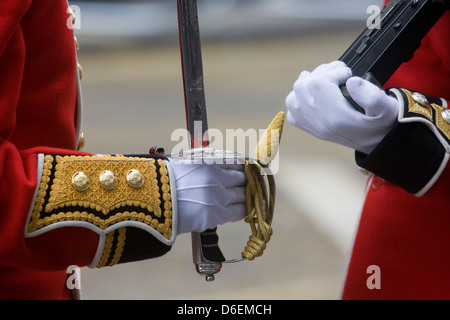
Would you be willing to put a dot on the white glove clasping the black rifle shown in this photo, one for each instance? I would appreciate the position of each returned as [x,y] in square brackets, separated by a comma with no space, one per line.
[317,106]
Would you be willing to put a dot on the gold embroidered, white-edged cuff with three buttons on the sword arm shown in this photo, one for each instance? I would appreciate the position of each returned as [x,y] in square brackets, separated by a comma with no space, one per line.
[110,195]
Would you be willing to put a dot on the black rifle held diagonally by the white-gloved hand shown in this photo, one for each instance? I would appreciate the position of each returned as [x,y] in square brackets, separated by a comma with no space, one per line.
[379,51]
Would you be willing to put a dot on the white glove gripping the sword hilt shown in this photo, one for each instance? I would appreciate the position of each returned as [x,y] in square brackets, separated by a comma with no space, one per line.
[208,194]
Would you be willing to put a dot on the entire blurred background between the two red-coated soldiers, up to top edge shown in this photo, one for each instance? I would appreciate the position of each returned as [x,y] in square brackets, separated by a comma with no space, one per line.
[253,51]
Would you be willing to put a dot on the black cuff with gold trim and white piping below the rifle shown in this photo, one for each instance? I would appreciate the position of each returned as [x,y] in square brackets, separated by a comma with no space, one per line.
[416,150]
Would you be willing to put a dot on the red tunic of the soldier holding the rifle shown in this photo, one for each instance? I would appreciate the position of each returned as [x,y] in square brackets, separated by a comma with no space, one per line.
[406,236]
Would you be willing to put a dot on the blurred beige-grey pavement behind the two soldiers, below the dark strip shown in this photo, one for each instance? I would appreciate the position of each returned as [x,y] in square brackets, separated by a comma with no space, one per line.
[134,99]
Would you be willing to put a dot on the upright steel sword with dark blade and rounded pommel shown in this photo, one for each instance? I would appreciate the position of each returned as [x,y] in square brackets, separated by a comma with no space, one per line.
[206,253]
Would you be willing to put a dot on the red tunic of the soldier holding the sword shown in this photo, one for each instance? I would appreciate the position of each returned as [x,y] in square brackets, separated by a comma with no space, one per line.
[37,116]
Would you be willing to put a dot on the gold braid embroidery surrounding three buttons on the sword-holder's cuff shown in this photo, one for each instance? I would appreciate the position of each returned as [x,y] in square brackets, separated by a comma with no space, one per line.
[57,200]
